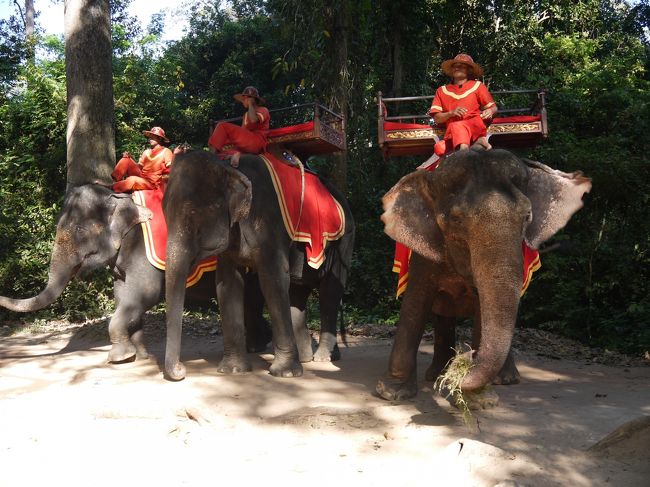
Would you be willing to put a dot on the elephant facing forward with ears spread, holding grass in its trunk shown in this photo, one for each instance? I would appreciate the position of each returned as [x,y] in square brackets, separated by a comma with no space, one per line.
[465,223]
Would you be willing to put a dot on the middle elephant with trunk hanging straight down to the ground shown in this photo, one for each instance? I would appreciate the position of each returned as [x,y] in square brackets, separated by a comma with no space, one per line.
[213,209]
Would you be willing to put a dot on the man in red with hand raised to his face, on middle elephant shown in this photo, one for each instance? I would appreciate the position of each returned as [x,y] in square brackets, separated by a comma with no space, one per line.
[251,137]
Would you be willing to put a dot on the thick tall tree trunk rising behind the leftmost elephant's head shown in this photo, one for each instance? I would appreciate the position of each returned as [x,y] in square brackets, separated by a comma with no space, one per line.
[90,135]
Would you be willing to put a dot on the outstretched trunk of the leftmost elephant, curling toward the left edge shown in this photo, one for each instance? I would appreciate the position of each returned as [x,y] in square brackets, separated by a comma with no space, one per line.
[60,274]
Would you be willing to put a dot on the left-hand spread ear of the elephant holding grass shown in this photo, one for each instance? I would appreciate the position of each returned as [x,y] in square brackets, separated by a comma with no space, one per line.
[410,215]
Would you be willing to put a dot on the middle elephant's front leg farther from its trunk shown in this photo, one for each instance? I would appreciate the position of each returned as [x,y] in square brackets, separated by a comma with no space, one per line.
[274,280]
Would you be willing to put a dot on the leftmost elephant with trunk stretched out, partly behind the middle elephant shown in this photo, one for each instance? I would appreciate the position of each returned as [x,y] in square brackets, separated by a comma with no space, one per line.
[98,228]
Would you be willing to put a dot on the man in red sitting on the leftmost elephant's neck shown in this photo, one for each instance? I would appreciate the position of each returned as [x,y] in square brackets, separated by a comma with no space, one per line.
[148,172]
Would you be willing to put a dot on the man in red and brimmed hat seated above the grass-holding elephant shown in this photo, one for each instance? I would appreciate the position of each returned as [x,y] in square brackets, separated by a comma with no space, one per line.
[462,106]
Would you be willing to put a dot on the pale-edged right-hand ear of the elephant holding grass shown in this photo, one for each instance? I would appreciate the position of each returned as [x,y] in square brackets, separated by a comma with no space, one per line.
[554,196]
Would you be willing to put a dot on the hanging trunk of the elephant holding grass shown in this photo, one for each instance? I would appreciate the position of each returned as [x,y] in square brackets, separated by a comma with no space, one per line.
[499,290]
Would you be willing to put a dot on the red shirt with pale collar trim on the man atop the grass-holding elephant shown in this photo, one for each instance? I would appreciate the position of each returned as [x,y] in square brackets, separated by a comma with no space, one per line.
[473,96]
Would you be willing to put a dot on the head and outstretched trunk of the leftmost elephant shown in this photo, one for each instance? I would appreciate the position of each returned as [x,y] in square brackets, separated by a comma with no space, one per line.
[89,233]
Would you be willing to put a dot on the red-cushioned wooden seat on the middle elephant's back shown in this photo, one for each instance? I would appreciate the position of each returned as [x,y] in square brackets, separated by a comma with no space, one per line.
[306,130]
